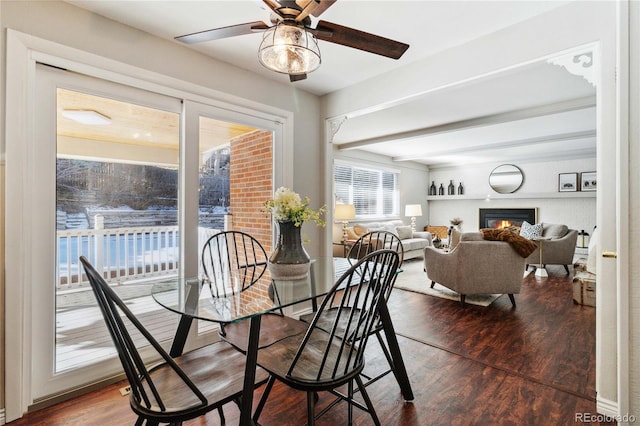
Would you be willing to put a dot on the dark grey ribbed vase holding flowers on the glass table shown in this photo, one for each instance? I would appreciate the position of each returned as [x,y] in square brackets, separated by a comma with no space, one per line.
[289,260]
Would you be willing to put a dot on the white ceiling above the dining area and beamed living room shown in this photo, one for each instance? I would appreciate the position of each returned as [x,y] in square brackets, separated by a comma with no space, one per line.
[447,127]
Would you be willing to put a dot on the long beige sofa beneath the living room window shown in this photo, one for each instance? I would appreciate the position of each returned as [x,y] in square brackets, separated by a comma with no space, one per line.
[413,242]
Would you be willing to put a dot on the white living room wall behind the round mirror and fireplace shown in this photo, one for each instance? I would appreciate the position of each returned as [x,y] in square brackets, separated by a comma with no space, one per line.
[540,179]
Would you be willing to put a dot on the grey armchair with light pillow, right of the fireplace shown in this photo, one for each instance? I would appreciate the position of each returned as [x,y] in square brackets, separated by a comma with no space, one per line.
[559,249]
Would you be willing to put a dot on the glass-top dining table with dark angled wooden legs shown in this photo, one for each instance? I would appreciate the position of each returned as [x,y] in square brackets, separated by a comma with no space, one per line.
[192,298]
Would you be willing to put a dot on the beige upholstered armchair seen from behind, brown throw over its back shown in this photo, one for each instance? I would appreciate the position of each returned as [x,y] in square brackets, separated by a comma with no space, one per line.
[476,266]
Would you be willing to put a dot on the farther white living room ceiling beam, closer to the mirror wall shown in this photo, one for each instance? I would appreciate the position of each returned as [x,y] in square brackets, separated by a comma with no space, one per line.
[501,145]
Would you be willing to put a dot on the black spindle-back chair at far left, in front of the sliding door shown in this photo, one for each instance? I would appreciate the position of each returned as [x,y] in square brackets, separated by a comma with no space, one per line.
[173,389]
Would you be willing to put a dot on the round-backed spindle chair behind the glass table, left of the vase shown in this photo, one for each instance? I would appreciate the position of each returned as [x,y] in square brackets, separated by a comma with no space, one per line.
[233,261]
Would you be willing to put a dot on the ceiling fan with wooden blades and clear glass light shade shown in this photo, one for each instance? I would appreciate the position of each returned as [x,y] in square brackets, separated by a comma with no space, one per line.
[290,44]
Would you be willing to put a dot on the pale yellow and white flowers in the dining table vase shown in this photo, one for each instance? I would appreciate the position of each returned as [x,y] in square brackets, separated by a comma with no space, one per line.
[288,206]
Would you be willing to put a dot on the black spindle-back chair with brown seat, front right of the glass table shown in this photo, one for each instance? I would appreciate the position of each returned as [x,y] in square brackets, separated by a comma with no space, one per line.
[328,357]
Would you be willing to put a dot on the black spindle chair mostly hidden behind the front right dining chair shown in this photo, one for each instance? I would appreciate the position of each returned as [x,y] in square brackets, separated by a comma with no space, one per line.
[368,243]
